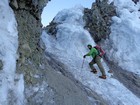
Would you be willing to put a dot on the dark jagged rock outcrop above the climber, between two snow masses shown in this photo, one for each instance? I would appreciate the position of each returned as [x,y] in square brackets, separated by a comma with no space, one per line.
[98,19]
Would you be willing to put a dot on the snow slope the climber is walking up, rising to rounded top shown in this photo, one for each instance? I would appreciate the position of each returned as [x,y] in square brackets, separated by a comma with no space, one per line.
[69,46]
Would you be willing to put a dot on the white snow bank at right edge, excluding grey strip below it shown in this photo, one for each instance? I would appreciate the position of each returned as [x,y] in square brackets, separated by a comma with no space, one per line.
[125,36]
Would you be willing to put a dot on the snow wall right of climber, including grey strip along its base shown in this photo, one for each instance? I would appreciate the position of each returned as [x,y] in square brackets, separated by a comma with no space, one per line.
[122,46]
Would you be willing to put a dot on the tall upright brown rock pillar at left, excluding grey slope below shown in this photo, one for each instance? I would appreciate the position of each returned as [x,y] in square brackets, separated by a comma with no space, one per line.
[28,16]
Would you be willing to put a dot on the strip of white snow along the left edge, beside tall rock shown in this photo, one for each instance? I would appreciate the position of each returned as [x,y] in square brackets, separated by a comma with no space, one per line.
[9,88]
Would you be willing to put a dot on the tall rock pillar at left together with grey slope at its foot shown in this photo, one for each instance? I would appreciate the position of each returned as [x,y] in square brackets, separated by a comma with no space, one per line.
[46,82]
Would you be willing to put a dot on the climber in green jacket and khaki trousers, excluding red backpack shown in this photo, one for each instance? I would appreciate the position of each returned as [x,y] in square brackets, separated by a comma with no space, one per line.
[96,59]
